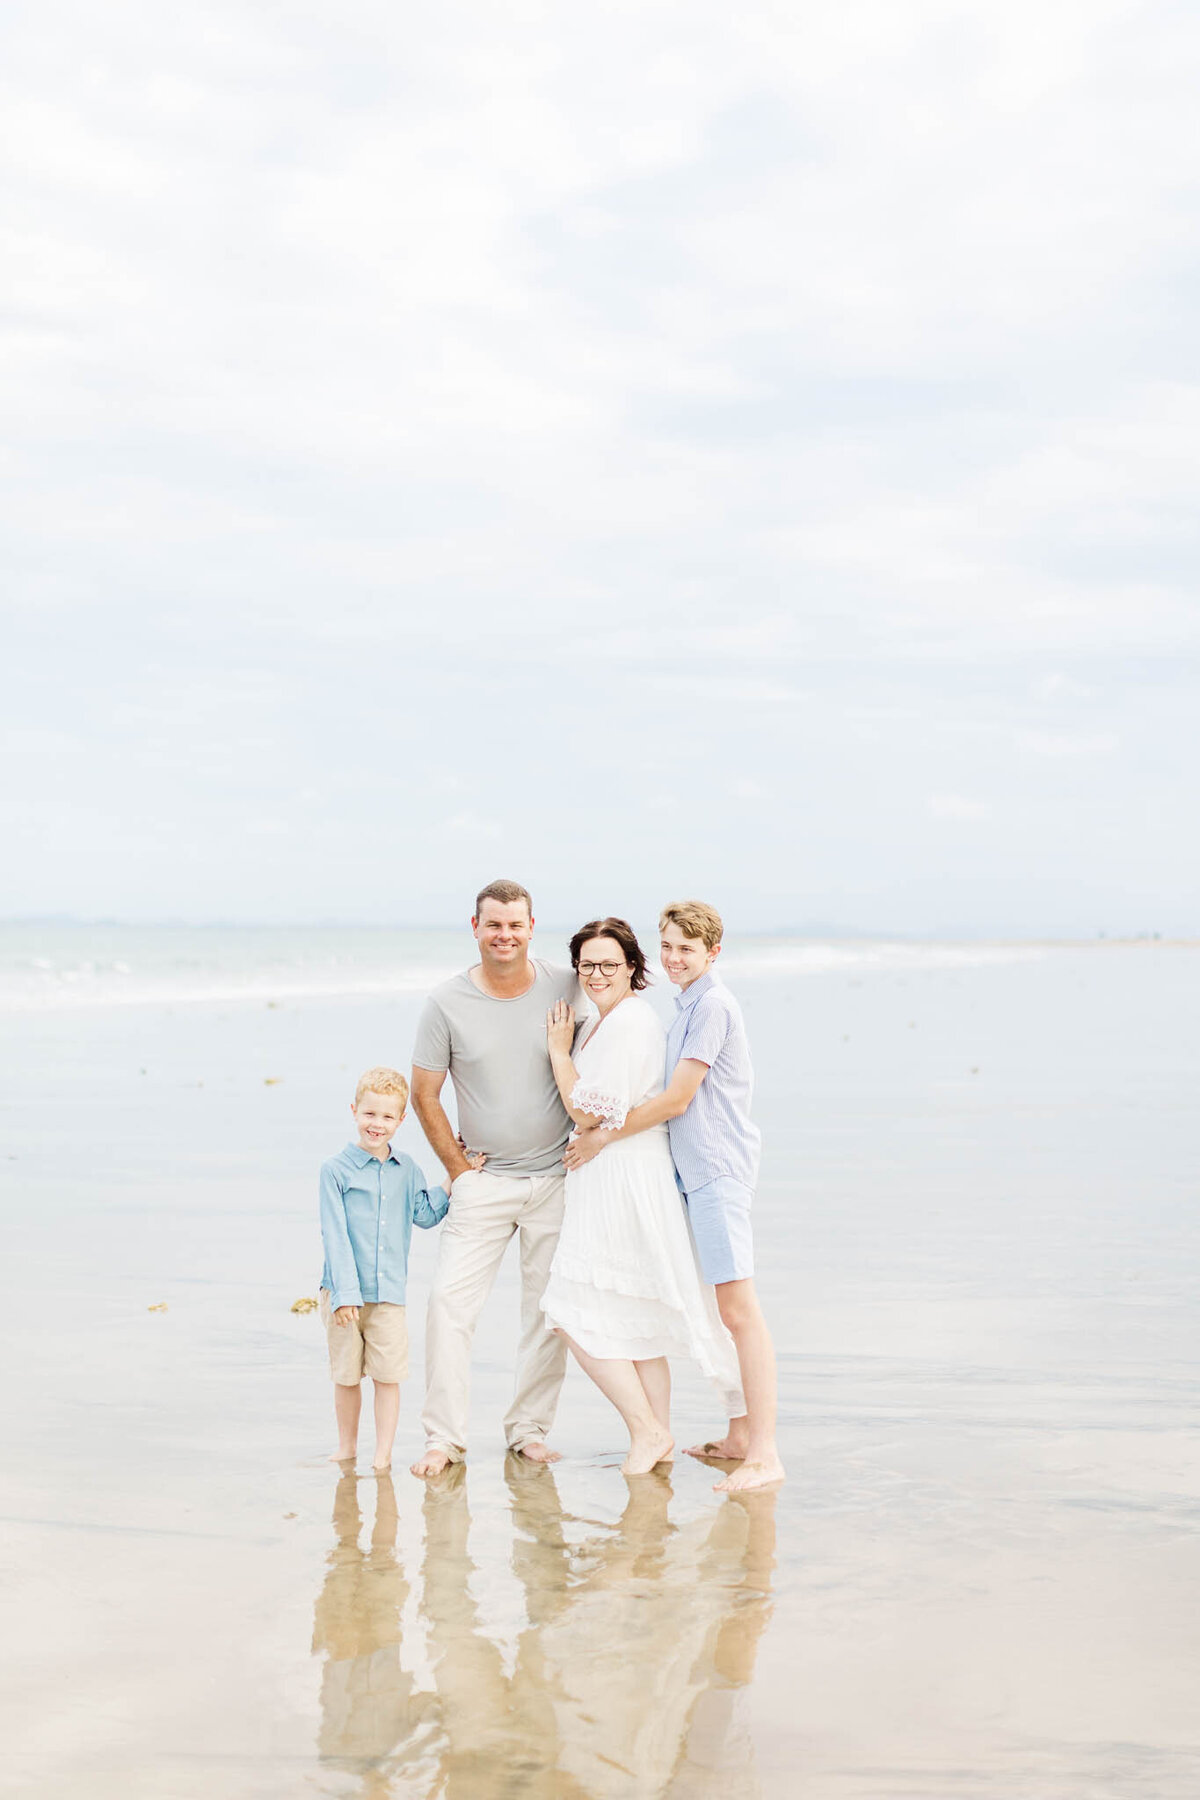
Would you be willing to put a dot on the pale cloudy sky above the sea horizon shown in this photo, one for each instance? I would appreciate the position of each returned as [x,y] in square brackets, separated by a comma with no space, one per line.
[643,451]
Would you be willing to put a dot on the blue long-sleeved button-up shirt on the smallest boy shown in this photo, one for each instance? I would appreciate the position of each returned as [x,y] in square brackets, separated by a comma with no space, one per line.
[368,1210]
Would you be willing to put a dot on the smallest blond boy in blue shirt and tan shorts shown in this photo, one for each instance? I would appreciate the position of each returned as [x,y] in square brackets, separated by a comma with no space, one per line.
[372,1196]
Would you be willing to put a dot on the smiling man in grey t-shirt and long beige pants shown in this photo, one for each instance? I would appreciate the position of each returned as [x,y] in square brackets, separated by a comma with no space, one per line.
[487,1030]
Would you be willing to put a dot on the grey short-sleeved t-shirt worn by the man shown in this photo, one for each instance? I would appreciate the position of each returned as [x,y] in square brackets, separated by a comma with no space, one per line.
[501,1068]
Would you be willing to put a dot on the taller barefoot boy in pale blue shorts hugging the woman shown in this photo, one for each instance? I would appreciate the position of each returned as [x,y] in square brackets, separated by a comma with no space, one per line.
[717,1149]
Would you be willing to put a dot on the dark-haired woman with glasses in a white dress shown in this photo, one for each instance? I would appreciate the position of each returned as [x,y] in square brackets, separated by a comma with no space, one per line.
[625,1290]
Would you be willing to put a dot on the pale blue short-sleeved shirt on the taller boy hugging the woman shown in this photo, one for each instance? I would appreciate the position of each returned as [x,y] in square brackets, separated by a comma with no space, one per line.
[715,1137]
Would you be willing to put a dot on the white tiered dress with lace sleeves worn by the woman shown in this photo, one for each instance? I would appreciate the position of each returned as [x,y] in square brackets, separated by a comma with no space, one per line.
[625,1281]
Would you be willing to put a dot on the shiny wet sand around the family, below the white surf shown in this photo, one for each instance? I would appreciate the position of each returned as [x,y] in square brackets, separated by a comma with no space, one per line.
[980,1254]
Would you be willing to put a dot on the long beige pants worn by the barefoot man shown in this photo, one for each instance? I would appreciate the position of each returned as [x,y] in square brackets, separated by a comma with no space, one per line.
[485,1212]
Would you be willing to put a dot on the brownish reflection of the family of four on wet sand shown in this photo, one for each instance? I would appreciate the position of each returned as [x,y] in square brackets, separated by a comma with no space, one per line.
[629,1677]
